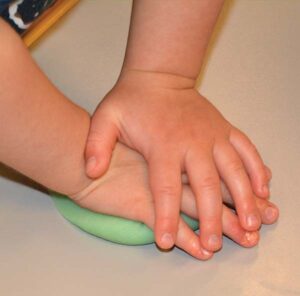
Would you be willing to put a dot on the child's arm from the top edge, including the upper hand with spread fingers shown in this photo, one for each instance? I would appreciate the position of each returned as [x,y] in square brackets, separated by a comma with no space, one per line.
[155,110]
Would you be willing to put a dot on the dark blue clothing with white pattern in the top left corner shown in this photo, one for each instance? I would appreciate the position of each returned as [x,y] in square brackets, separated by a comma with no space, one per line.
[20,14]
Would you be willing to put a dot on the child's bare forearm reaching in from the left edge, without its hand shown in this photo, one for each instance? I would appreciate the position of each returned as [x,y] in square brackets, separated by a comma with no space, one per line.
[42,133]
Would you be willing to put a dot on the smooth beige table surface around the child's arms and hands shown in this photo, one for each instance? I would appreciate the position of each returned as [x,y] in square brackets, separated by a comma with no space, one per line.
[252,75]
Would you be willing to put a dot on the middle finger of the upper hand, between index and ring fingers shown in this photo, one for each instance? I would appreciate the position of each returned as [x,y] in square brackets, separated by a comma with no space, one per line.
[205,183]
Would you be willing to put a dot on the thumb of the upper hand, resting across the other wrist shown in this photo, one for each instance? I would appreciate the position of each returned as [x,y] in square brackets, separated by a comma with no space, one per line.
[100,143]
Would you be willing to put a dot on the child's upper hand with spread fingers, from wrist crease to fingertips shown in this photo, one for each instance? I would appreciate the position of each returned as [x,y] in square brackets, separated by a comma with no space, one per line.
[178,130]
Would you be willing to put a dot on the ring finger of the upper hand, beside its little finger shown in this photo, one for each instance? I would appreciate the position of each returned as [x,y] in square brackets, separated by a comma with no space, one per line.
[236,179]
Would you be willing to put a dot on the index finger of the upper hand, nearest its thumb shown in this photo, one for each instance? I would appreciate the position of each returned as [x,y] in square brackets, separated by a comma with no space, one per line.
[165,184]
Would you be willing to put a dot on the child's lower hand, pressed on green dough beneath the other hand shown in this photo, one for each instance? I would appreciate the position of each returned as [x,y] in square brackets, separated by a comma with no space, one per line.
[124,191]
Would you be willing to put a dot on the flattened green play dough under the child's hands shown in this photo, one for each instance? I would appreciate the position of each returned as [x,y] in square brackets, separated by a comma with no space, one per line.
[111,228]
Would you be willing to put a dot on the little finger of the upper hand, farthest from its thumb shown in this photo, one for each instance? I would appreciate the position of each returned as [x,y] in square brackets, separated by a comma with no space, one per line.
[252,161]
